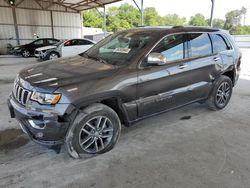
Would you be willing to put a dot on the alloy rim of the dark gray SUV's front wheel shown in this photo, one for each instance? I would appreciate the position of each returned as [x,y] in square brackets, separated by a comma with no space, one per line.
[96,134]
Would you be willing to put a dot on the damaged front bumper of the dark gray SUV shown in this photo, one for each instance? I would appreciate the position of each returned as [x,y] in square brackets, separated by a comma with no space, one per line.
[46,128]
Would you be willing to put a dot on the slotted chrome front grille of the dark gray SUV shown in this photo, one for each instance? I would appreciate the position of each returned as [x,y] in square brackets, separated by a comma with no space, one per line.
[21,95]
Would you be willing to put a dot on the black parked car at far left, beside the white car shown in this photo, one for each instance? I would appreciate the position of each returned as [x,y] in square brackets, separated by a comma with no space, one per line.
[28,50]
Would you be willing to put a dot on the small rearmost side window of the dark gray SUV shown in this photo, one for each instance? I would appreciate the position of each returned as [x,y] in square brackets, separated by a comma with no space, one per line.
[219,43]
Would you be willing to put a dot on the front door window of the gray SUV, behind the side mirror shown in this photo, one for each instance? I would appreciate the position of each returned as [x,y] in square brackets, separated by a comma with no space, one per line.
[172,47]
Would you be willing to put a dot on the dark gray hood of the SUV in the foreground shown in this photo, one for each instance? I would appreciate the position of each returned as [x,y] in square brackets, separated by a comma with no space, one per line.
[51,75]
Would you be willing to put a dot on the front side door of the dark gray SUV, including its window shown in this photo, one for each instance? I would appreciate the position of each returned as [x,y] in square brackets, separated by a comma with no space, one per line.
[162,87]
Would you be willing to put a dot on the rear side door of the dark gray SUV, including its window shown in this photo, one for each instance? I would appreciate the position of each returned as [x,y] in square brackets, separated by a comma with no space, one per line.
[205,65]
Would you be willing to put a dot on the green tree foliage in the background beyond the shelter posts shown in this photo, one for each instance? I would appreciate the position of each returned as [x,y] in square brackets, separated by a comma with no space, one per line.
[128,16]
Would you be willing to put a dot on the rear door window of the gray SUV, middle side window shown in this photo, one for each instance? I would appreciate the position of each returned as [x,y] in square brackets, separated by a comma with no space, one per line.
[200,44]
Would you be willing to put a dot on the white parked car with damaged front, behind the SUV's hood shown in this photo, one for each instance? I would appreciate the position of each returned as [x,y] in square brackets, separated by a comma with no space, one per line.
[64,49]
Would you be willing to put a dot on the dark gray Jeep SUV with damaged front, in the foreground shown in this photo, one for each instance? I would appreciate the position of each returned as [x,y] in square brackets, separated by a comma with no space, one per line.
[82,101]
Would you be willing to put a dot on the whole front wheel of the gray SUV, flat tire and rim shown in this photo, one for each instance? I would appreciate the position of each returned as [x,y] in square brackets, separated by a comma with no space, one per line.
[95,130]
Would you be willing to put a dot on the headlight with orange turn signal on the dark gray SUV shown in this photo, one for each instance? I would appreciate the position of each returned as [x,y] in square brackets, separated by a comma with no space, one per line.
[44,98]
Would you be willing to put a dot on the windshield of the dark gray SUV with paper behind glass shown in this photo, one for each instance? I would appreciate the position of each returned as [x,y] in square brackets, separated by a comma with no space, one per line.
[120,48]
